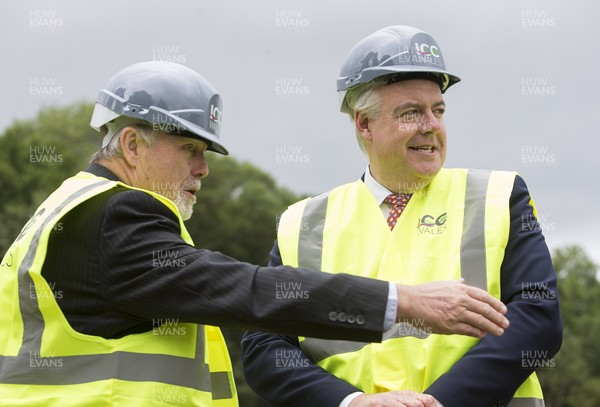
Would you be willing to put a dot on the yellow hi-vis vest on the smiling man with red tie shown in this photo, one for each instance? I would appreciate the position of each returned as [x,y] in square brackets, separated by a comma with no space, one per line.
[456,227]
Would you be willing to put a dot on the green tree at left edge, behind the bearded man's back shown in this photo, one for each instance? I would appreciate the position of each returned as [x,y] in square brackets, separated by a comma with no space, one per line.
[36,156]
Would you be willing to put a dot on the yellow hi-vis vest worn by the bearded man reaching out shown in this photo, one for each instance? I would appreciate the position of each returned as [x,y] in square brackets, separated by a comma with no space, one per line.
[44,362]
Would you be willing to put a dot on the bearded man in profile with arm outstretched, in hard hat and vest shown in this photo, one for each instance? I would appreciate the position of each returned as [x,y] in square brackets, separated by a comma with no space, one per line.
[120,308]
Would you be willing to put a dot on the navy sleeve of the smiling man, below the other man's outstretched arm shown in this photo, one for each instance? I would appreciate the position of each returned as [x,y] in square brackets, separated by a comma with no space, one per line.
[282,375]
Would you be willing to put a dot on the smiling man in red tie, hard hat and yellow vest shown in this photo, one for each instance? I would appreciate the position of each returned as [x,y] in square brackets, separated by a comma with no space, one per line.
[408,220]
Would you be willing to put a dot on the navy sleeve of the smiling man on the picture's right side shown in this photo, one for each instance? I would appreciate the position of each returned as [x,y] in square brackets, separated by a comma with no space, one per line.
[491,372]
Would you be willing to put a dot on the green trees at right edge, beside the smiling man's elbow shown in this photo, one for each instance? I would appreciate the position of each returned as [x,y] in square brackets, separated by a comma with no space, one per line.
[575,379]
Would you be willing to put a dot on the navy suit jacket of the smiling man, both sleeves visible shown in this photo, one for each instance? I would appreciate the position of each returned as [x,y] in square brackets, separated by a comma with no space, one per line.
[489,374]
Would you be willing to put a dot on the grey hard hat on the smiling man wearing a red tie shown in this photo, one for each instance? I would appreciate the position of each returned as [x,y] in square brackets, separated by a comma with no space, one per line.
[396,52]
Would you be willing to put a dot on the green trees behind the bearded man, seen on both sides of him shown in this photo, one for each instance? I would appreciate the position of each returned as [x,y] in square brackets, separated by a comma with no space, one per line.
[236,212]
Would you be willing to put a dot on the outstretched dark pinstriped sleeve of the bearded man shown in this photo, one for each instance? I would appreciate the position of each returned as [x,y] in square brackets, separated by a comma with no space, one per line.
[152,273]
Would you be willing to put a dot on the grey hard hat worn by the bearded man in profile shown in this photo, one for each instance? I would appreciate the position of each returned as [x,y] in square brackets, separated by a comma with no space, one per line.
[173,98]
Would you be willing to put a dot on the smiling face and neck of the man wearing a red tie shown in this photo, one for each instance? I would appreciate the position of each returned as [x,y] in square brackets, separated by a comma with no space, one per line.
[406,139]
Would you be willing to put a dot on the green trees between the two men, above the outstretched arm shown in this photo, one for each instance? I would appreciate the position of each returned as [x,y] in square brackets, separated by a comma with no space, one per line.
[247,201]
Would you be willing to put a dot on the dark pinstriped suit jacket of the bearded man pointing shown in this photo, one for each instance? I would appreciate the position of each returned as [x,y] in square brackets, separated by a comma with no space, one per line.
[118,262]
